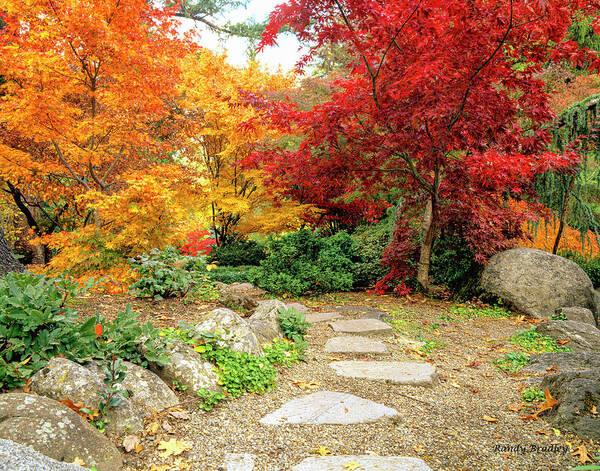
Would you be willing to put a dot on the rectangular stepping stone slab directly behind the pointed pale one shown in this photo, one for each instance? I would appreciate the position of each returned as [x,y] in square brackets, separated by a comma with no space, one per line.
[400,372]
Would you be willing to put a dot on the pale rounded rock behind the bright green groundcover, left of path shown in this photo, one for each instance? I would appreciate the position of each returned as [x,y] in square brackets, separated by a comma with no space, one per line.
[235,331]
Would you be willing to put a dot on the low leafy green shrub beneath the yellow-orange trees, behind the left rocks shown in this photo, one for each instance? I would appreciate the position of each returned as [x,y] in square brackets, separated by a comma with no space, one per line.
[167,273]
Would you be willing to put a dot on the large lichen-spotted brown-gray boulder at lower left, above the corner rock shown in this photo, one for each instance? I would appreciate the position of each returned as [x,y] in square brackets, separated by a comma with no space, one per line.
[56,431]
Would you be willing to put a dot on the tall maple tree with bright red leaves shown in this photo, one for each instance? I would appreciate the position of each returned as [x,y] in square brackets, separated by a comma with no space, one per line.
[444,103]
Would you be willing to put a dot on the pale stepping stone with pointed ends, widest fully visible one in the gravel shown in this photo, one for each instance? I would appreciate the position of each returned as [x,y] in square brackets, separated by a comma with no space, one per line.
[327,407]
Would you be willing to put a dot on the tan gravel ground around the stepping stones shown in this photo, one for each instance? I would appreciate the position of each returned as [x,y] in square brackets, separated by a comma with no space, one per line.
[443,425]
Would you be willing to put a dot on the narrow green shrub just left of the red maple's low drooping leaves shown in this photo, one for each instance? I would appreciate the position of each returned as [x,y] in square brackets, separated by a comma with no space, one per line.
[371,241]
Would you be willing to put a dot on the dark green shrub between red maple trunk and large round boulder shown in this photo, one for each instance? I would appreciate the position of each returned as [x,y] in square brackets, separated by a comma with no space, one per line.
[453,265]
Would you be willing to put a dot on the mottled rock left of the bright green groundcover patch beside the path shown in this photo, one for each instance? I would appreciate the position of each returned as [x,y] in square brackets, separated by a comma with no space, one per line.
[188,368]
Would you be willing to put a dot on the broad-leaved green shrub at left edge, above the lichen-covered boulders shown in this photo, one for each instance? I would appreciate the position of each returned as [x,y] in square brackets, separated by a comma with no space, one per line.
[36,324]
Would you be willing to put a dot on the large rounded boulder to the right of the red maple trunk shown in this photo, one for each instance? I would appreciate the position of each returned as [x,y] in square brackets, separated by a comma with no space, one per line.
[536,282]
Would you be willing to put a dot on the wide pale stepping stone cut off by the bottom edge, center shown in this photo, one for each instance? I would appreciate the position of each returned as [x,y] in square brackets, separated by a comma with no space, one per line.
[366,463]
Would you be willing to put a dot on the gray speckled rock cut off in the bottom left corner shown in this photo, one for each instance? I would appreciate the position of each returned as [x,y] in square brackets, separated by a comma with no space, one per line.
[17,457]
